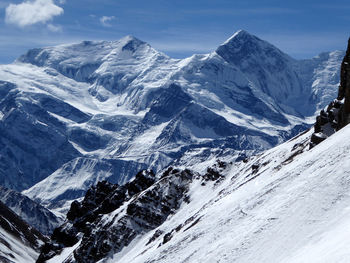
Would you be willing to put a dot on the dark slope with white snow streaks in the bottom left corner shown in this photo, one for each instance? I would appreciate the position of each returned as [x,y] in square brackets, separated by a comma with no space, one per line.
[19,242]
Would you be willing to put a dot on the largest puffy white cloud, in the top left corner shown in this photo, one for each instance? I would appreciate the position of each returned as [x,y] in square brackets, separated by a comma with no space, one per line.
[32,12]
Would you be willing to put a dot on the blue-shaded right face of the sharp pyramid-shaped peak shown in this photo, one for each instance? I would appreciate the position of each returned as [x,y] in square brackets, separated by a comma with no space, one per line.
[271,71]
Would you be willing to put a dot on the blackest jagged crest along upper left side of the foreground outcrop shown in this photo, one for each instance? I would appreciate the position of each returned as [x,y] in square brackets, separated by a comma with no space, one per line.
[101,199]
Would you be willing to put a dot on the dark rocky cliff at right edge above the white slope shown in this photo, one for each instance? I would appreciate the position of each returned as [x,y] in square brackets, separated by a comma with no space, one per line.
[337,114]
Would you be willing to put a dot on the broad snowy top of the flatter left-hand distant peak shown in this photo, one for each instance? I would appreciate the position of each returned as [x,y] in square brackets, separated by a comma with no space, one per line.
[79,61]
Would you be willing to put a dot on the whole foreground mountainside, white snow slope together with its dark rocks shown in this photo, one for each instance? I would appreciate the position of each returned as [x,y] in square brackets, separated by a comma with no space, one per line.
[289,204]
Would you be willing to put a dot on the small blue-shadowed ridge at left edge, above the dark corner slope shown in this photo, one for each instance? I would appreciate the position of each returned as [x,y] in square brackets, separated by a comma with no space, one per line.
[31,212]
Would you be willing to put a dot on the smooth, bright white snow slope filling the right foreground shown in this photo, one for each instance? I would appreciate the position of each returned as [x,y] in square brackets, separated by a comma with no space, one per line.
[290,204]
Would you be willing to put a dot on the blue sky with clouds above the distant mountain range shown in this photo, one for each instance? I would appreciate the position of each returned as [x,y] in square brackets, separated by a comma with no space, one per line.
[179,28]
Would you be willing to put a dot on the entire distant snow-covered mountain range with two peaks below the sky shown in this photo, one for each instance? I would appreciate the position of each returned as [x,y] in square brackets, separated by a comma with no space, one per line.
[73,115]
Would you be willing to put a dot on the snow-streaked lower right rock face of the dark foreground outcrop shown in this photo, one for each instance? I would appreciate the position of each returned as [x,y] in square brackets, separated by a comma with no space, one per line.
[143,213]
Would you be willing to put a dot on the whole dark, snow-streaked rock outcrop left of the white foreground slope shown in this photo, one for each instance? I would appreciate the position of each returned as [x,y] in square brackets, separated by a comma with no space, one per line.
[111,216]
